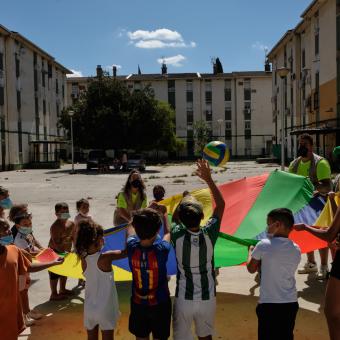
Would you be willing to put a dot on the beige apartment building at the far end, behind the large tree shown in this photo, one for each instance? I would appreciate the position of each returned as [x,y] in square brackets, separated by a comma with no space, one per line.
[235,105]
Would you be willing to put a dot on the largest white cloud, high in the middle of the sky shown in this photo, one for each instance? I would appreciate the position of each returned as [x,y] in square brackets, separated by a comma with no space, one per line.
[160,38]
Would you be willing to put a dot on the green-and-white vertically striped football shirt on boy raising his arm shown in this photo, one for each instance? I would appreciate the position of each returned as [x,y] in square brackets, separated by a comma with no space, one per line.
[195,260]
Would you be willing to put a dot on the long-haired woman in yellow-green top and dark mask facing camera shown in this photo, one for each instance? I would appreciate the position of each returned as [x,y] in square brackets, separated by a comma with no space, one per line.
[131,198]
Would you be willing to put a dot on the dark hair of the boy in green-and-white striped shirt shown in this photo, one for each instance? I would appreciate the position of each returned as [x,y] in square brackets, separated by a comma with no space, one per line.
[190,212]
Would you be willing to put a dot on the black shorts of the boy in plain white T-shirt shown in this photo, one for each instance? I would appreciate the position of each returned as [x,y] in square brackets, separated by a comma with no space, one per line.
[276,321]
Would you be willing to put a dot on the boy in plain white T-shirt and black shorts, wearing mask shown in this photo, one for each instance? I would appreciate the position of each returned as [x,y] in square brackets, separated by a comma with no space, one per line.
[278,258]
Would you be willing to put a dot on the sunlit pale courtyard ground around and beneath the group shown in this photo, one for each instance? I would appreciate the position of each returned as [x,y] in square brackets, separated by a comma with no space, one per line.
[237,291]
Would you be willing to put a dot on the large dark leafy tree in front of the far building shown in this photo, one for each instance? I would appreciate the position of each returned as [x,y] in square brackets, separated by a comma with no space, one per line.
[109,116]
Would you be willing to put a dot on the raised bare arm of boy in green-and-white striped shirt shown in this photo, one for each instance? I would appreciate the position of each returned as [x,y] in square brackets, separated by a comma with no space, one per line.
[203,171]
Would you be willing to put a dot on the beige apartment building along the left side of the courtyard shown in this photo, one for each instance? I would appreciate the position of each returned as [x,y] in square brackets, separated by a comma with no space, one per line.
[32,95]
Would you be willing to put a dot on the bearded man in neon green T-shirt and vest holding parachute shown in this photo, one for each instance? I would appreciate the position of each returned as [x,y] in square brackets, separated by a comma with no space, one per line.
[318,170]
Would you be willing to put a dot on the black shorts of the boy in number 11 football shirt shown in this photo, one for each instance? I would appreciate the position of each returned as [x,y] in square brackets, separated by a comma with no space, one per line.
[156,319]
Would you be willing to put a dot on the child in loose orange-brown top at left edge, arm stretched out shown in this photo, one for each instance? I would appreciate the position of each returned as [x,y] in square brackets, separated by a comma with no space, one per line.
[13,264]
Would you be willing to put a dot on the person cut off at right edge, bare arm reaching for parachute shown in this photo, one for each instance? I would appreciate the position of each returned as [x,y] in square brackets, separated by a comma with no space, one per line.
[332,299]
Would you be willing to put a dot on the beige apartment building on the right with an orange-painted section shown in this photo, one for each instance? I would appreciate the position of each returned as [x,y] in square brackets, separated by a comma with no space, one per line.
[309,95]
